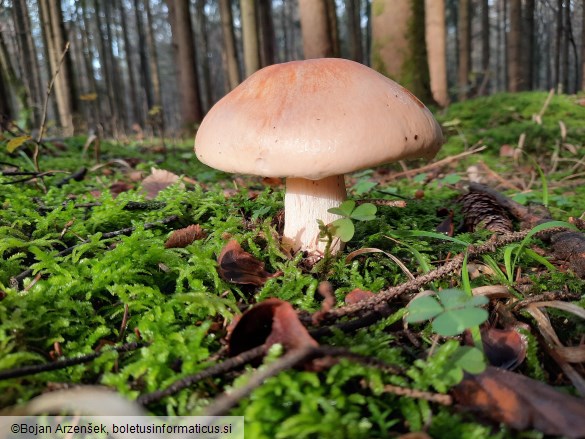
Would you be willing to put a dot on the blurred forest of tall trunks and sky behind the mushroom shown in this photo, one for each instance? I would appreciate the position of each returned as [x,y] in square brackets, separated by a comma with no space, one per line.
[132,65]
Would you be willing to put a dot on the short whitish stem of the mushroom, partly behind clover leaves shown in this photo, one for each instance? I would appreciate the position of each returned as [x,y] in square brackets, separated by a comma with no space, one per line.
[305,202]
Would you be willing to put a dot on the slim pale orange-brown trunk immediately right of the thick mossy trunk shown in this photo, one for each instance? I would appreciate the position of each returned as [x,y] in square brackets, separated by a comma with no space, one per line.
[436,48]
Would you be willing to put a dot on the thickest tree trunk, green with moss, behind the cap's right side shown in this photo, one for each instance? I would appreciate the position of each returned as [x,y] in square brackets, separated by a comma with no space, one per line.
[399,45]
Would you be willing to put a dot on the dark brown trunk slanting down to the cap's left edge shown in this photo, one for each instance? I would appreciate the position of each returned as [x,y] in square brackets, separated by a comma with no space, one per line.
[191,111]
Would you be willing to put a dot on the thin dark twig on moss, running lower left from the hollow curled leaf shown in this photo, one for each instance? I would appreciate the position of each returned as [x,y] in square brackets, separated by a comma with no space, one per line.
[183,383]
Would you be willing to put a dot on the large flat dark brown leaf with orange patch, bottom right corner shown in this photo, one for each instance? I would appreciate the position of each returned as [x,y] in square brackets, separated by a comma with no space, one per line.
[521,403]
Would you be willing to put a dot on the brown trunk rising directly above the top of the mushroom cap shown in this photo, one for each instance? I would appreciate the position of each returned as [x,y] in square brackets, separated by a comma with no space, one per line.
[315,27]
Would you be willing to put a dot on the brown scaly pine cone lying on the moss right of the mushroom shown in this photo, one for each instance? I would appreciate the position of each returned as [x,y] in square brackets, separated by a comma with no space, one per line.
[483,211]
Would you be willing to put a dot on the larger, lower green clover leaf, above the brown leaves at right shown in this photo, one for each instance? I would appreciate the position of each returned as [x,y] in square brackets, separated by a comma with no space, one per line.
[453,311]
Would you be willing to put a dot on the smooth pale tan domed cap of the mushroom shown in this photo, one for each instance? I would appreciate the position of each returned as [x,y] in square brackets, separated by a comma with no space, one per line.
[313,119]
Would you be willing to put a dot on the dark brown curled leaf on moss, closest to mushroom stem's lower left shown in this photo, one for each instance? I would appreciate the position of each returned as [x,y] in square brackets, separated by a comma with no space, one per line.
[240,267]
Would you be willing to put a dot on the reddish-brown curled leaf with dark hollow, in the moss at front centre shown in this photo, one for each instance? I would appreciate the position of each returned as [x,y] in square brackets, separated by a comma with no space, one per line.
[269,322]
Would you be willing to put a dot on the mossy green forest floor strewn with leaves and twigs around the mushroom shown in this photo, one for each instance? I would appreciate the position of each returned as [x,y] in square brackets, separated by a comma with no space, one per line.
[128,277]
